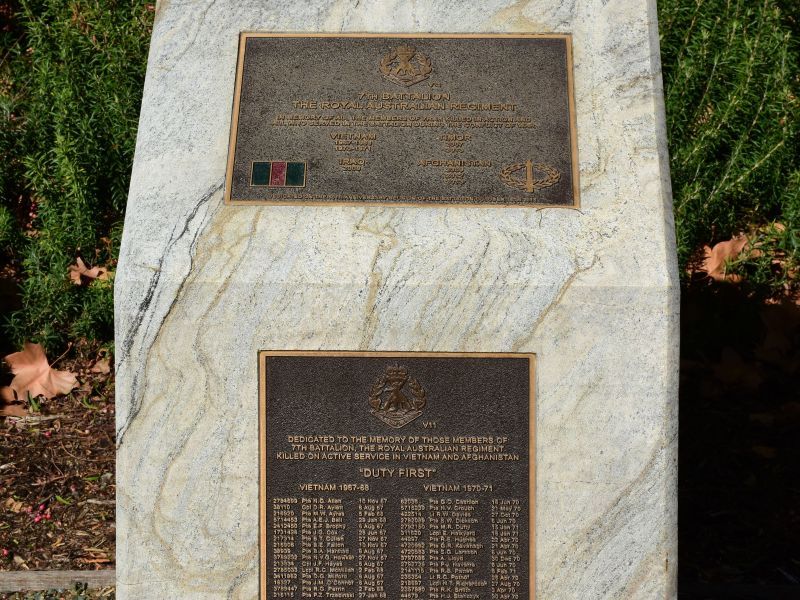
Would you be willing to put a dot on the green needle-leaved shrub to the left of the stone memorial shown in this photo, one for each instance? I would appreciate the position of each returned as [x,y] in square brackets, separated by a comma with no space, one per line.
[73,84]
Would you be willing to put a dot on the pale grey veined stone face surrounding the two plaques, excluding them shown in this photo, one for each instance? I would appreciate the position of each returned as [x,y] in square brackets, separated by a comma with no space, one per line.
[202,287]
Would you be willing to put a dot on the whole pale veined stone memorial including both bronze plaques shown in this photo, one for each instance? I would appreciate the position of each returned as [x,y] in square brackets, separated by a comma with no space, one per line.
[397,305]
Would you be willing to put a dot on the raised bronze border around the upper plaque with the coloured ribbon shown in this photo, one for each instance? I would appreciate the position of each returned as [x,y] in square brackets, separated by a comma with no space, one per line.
[245,35]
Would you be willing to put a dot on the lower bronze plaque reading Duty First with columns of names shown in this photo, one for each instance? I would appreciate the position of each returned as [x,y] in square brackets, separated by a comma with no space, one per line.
[404,476]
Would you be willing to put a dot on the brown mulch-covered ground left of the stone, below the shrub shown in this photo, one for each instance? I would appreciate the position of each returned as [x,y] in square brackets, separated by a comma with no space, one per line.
[57,478]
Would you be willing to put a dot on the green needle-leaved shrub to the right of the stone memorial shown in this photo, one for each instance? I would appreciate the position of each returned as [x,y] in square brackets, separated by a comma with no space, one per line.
[731,88]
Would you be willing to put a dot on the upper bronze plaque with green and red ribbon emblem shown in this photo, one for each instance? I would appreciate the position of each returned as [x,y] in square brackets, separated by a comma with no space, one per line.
[408,119]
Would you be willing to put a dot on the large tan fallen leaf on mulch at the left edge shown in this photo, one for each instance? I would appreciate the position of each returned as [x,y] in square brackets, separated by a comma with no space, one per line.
[34,376]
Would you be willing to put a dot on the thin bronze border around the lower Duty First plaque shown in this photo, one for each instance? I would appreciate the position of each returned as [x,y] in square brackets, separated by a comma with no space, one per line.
[264,355]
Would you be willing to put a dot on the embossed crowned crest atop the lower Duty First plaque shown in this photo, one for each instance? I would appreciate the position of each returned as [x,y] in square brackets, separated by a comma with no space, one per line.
[390,404]
